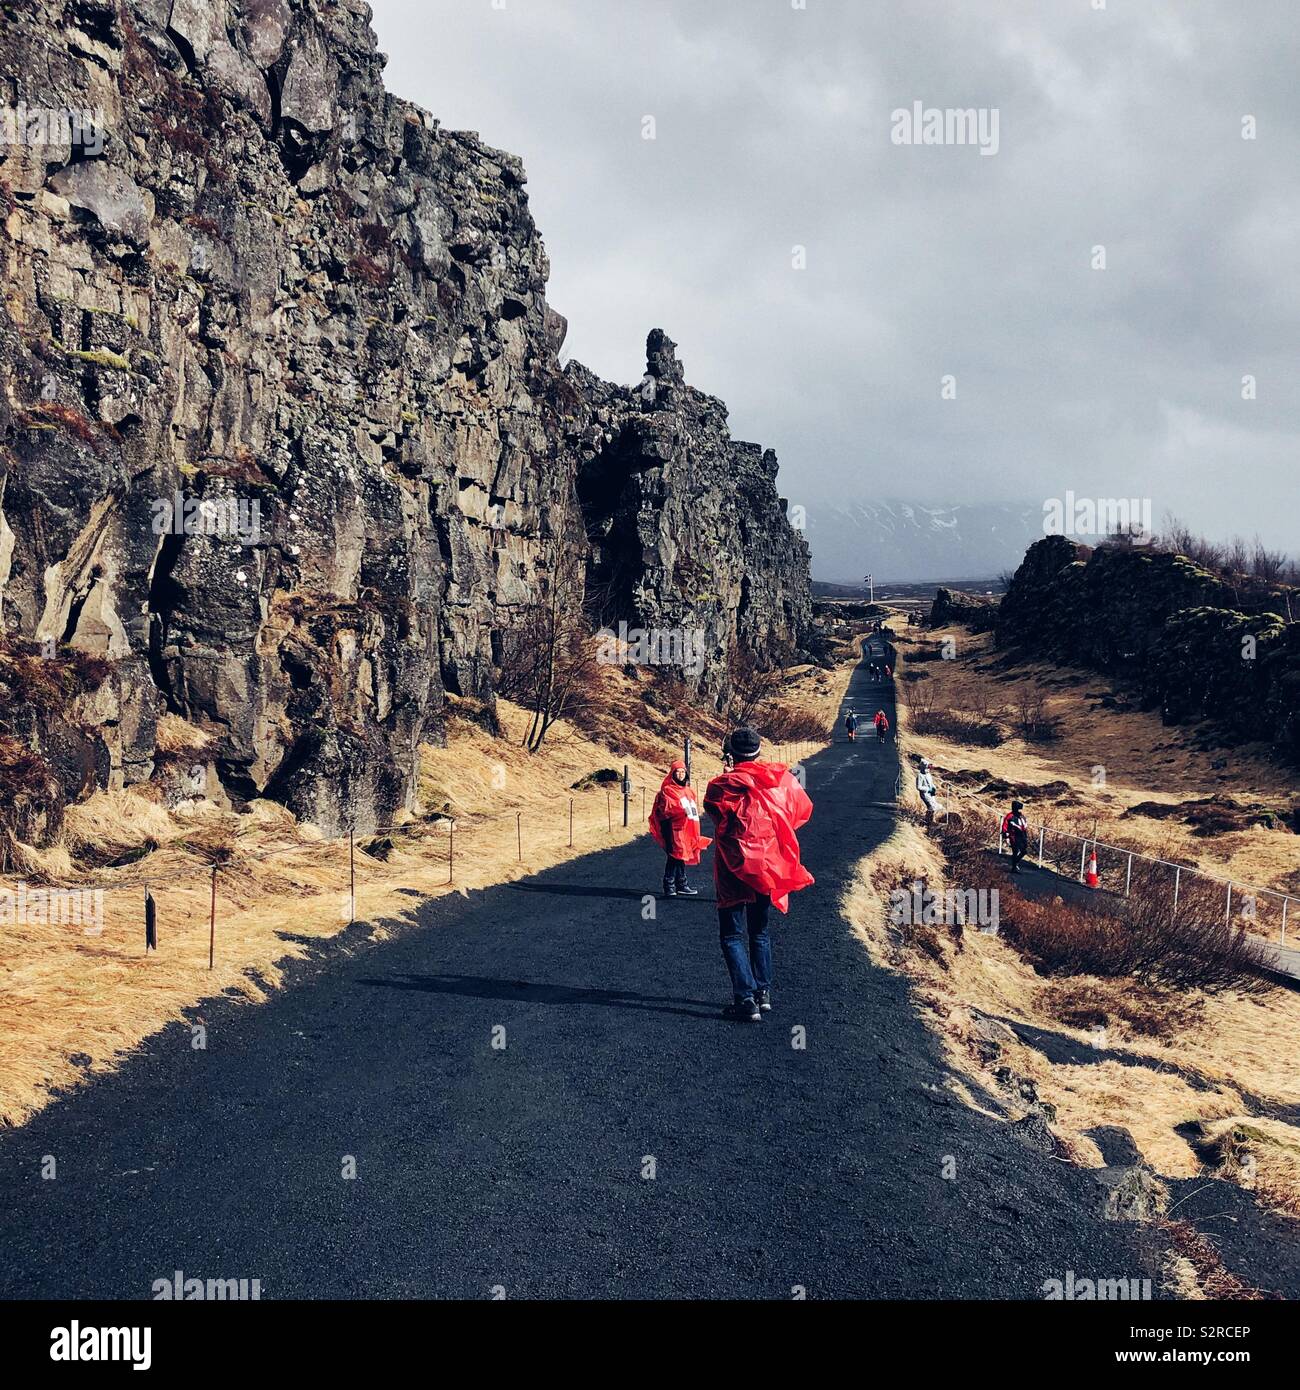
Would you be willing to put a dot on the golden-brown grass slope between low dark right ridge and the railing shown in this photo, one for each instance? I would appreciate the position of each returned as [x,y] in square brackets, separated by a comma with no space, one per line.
[1145,761]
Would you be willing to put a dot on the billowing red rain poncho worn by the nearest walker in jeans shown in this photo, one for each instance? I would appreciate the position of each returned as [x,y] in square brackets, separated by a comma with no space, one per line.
[757,810]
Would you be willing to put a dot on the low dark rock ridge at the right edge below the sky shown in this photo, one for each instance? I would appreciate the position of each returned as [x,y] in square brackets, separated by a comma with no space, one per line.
[1195,644]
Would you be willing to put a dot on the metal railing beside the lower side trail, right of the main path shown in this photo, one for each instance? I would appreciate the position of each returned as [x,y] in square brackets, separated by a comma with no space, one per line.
[1067,854]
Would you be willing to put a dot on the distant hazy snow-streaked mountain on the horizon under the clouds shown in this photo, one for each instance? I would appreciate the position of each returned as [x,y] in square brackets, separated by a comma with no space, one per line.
[910,543]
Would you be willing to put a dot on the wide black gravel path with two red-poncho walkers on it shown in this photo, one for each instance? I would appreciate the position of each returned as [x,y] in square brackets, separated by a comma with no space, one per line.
[775,1167]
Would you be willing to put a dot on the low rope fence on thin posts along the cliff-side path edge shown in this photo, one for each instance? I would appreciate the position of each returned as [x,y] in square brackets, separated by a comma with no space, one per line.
[421,832]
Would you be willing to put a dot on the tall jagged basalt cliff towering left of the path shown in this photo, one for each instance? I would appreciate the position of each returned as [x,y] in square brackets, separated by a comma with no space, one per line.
[283,425]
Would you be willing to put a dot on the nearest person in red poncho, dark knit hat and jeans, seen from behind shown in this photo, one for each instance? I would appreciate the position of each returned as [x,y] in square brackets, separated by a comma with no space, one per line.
[757,810]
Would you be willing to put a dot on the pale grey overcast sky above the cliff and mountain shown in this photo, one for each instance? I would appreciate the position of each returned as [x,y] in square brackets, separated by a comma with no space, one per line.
[1119,127]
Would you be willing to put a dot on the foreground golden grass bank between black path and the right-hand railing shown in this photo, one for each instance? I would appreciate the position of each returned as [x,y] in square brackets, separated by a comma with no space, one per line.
[1240,1050]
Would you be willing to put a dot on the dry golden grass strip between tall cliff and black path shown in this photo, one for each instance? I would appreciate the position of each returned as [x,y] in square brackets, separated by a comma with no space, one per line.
[67,995]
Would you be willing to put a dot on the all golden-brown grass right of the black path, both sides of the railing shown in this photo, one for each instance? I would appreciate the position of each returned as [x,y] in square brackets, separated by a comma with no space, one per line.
[1238,1049]
